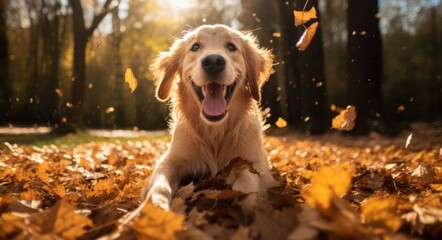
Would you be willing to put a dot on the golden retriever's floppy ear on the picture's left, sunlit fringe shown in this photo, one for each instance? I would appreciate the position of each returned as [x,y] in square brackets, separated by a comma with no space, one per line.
[165,68]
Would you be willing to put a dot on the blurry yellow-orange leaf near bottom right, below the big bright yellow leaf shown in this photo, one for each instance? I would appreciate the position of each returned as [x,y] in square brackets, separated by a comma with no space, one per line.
[381,213]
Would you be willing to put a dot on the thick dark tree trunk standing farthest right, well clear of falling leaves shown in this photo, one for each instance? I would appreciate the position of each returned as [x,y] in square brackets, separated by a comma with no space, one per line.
[364,64]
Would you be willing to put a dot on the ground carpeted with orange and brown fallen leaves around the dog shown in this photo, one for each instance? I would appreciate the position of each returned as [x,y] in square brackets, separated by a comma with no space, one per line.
[331,187]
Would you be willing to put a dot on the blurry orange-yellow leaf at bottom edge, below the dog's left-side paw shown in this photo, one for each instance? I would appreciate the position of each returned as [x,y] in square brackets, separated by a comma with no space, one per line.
[155,223]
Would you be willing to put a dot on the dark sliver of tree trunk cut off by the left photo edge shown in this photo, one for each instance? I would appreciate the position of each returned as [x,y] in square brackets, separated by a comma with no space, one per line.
[4,65]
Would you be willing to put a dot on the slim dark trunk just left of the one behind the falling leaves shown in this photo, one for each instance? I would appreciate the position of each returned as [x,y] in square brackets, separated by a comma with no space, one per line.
[290,64]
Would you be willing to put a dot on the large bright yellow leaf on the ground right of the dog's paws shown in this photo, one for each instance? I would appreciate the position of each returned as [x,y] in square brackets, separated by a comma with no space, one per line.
[327,184]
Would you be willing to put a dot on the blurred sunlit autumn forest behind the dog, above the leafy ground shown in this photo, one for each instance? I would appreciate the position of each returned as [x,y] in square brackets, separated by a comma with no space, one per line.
[382,56]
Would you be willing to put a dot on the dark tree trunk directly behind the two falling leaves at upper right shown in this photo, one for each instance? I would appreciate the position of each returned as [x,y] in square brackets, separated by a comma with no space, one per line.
[314,116]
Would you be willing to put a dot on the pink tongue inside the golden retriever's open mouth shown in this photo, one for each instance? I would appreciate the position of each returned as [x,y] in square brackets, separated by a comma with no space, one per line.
[214,103]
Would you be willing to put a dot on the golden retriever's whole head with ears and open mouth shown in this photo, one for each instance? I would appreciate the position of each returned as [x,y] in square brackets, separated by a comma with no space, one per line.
[217,65]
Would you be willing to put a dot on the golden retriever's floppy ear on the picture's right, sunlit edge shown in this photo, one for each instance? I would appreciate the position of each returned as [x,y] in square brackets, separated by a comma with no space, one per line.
[259,63]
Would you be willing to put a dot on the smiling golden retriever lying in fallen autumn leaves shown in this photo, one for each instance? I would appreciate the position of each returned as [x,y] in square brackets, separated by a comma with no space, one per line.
[212,77]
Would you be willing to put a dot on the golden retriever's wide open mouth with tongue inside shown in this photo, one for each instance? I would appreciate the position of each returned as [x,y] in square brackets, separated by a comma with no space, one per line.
[214,98]
